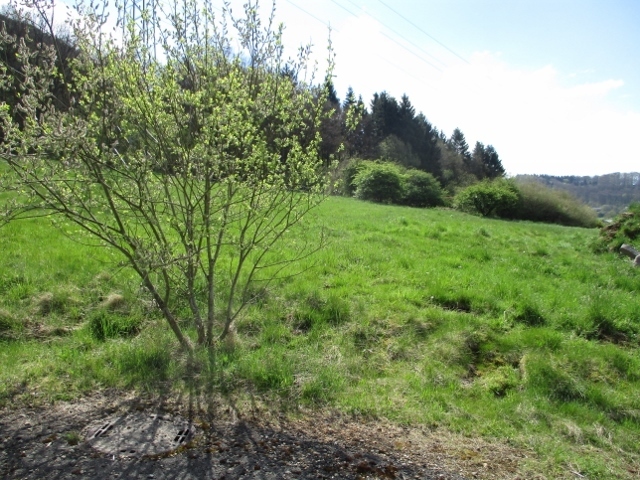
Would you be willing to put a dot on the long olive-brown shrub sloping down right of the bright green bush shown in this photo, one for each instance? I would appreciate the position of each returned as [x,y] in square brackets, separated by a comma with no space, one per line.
[539,203]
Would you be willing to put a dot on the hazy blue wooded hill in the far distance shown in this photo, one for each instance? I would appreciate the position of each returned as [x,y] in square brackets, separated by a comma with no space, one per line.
[607,194]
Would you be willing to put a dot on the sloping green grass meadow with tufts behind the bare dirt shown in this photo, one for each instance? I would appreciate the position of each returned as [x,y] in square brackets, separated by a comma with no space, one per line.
[512,331]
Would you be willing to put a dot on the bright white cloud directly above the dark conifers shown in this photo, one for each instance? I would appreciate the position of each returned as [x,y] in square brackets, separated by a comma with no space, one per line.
[540,120]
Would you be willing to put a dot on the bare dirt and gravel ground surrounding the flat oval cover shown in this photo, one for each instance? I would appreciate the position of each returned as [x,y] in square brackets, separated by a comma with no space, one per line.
[49,442]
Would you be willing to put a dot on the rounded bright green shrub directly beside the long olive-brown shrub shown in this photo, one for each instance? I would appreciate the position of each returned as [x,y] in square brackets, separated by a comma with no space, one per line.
[498,197]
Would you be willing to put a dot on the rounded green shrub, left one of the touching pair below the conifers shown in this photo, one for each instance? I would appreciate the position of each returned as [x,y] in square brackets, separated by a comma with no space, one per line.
[379,182]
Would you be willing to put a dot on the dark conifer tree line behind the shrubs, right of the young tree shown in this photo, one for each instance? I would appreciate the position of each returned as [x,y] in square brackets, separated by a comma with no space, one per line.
[392,130]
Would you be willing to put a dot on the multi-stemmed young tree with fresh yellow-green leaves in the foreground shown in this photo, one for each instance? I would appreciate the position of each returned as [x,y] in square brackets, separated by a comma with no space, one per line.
[192,161]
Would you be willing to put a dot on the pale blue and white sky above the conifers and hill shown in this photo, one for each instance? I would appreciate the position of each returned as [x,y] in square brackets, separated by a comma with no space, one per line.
[553,85]
